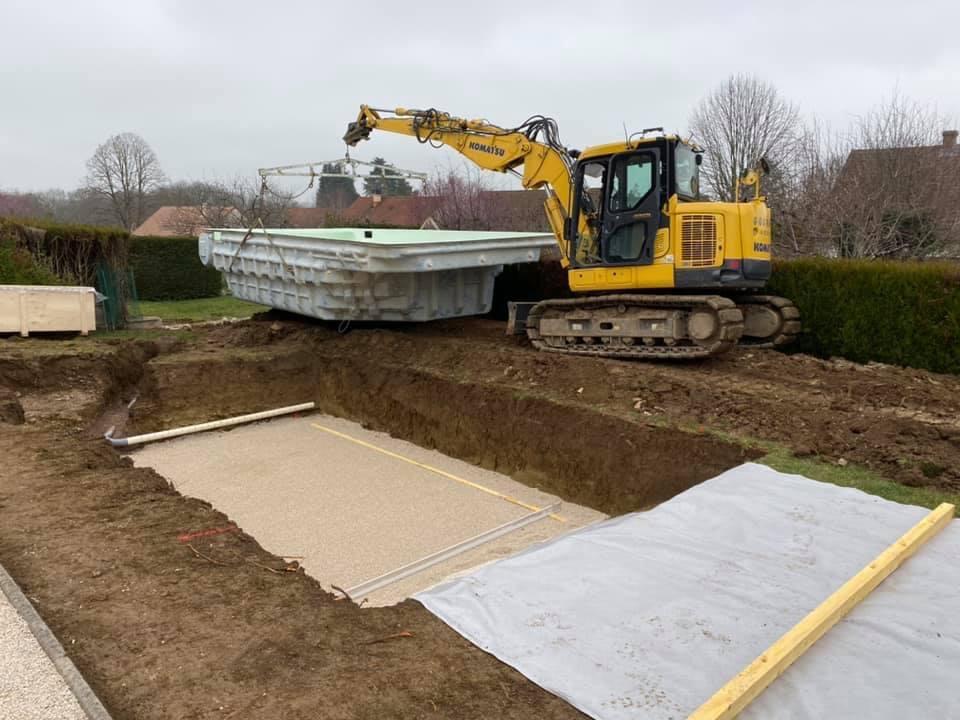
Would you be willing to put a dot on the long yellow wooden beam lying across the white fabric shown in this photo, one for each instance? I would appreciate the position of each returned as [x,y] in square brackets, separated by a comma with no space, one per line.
[733,697]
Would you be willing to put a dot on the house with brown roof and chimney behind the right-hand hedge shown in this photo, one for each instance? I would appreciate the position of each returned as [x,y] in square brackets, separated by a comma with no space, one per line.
[898,197]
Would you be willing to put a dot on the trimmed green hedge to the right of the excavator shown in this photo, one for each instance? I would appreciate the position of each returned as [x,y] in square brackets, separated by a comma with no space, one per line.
[902,313]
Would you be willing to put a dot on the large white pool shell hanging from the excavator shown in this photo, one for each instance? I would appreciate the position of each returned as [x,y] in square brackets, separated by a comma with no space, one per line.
[368,274]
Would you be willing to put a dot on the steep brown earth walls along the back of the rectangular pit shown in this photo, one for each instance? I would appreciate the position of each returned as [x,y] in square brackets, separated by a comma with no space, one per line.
[587,457]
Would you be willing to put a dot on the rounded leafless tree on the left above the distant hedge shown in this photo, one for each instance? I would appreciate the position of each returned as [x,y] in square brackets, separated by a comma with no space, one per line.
[124,170]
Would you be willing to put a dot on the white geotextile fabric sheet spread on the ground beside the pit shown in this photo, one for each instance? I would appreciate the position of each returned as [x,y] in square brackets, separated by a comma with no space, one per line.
[647,615]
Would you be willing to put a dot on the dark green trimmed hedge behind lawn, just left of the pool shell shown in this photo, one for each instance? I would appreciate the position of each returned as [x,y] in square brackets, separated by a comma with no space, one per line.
[168,268]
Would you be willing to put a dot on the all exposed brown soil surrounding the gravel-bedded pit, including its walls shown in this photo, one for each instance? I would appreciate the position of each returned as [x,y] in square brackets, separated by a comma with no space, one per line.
[162,632]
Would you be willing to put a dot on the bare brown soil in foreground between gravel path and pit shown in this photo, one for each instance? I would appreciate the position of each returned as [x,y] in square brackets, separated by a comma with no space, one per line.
[161,633]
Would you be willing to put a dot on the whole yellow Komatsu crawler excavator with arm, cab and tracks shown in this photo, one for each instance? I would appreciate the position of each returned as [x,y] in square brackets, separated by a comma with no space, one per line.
[664,274]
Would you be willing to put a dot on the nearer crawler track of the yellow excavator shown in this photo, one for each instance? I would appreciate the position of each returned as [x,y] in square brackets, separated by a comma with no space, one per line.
[661,327]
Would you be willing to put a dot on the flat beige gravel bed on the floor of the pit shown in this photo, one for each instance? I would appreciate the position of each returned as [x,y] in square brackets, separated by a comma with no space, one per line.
[351,505]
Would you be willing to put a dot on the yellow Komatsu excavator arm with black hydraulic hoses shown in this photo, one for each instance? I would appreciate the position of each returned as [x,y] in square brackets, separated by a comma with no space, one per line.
[545,163]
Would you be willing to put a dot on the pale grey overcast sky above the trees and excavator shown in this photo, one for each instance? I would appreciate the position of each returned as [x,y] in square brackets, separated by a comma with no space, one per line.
[221,88]
